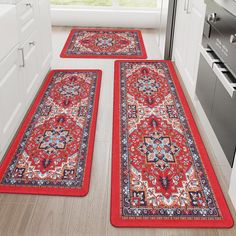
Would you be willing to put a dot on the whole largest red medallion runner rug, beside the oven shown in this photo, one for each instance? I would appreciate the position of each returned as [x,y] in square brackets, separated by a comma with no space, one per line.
[161,173]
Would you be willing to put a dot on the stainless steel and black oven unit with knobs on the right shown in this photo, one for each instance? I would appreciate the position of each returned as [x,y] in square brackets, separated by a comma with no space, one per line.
[216,83]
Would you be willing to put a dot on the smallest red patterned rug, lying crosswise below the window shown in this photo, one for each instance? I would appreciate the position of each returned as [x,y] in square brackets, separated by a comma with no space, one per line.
[104,43]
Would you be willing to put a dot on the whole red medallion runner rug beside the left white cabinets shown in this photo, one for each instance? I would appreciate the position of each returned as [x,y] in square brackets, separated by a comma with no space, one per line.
[52,151]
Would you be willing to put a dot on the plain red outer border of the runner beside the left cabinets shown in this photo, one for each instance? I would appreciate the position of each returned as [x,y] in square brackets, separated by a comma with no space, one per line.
[58,191]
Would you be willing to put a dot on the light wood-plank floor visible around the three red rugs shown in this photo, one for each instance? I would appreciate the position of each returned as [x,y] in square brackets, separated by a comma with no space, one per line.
[31,215]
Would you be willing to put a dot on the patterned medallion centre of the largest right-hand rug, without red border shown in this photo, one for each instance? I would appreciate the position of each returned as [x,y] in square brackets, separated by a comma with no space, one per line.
[162,174]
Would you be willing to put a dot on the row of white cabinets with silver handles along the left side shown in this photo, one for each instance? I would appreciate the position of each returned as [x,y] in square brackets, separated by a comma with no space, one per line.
[24,67]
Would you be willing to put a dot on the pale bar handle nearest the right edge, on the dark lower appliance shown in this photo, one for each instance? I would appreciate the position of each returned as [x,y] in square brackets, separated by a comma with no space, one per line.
[224,81]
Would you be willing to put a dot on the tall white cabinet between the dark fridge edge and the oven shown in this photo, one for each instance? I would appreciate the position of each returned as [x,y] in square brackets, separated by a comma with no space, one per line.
[190,17]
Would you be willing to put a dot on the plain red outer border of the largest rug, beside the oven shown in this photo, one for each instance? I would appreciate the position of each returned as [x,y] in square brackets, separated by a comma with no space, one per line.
[115,218]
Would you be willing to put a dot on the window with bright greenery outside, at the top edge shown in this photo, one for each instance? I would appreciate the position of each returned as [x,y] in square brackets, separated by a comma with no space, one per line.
[109,3]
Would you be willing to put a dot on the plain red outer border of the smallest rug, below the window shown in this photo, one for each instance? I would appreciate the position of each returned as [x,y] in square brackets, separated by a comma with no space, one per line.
[64,55]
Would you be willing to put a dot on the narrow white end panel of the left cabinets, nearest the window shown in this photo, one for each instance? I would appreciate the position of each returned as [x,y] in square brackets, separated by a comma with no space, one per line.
[45,33]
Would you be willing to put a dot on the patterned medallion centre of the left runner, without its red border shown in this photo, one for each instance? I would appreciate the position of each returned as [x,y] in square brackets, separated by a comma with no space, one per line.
[54,146]
